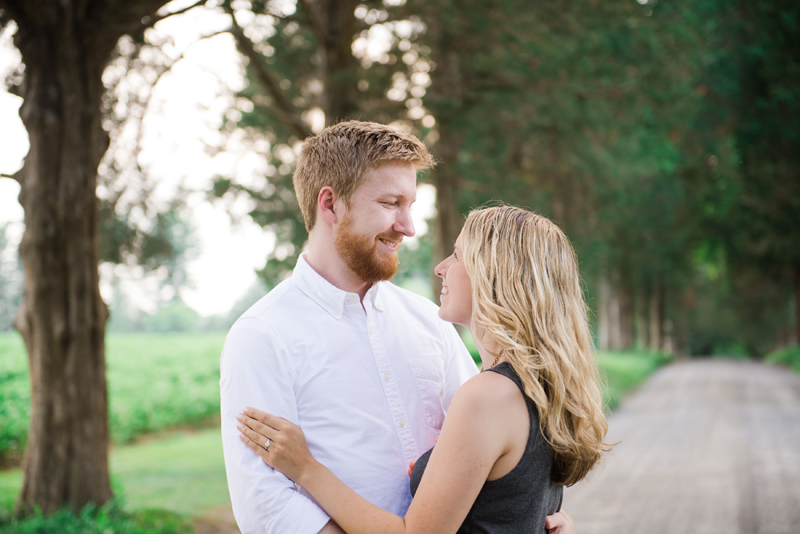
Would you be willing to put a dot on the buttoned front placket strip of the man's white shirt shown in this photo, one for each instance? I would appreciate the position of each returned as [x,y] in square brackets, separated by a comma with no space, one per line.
[391,390]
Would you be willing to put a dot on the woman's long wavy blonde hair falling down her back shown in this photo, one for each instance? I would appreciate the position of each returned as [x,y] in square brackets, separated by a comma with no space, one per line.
[527,296]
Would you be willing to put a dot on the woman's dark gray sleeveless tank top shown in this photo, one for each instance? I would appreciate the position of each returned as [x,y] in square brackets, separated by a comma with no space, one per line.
[520,501]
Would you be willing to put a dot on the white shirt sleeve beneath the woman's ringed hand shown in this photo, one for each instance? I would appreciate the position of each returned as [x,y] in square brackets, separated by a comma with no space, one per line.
[254,372]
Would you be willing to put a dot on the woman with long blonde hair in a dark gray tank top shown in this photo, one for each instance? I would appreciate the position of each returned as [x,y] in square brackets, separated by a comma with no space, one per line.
[513,436]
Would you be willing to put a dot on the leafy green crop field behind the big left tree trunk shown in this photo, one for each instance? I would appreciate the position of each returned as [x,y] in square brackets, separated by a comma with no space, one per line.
[155,382]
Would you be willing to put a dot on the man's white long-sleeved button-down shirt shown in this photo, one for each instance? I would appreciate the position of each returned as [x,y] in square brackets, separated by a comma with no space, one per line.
[369,386]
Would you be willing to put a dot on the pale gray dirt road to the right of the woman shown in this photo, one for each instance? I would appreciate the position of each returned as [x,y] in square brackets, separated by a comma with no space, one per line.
[706,447]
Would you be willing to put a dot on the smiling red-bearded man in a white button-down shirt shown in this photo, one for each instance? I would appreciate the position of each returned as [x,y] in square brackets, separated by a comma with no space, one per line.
[366,368]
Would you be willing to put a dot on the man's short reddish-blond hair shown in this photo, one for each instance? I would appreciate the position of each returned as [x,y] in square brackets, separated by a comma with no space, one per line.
[343,155]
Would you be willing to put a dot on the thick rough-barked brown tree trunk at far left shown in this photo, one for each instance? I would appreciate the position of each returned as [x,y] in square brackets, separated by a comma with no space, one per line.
[65,47]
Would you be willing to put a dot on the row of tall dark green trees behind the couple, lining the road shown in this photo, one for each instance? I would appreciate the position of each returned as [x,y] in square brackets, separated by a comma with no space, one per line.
[662,137]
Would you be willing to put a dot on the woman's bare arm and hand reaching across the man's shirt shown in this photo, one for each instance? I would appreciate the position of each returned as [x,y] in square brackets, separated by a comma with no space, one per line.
[476,432]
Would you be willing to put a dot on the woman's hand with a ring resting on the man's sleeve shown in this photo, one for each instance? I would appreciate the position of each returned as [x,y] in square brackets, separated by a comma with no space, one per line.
[286,448]
